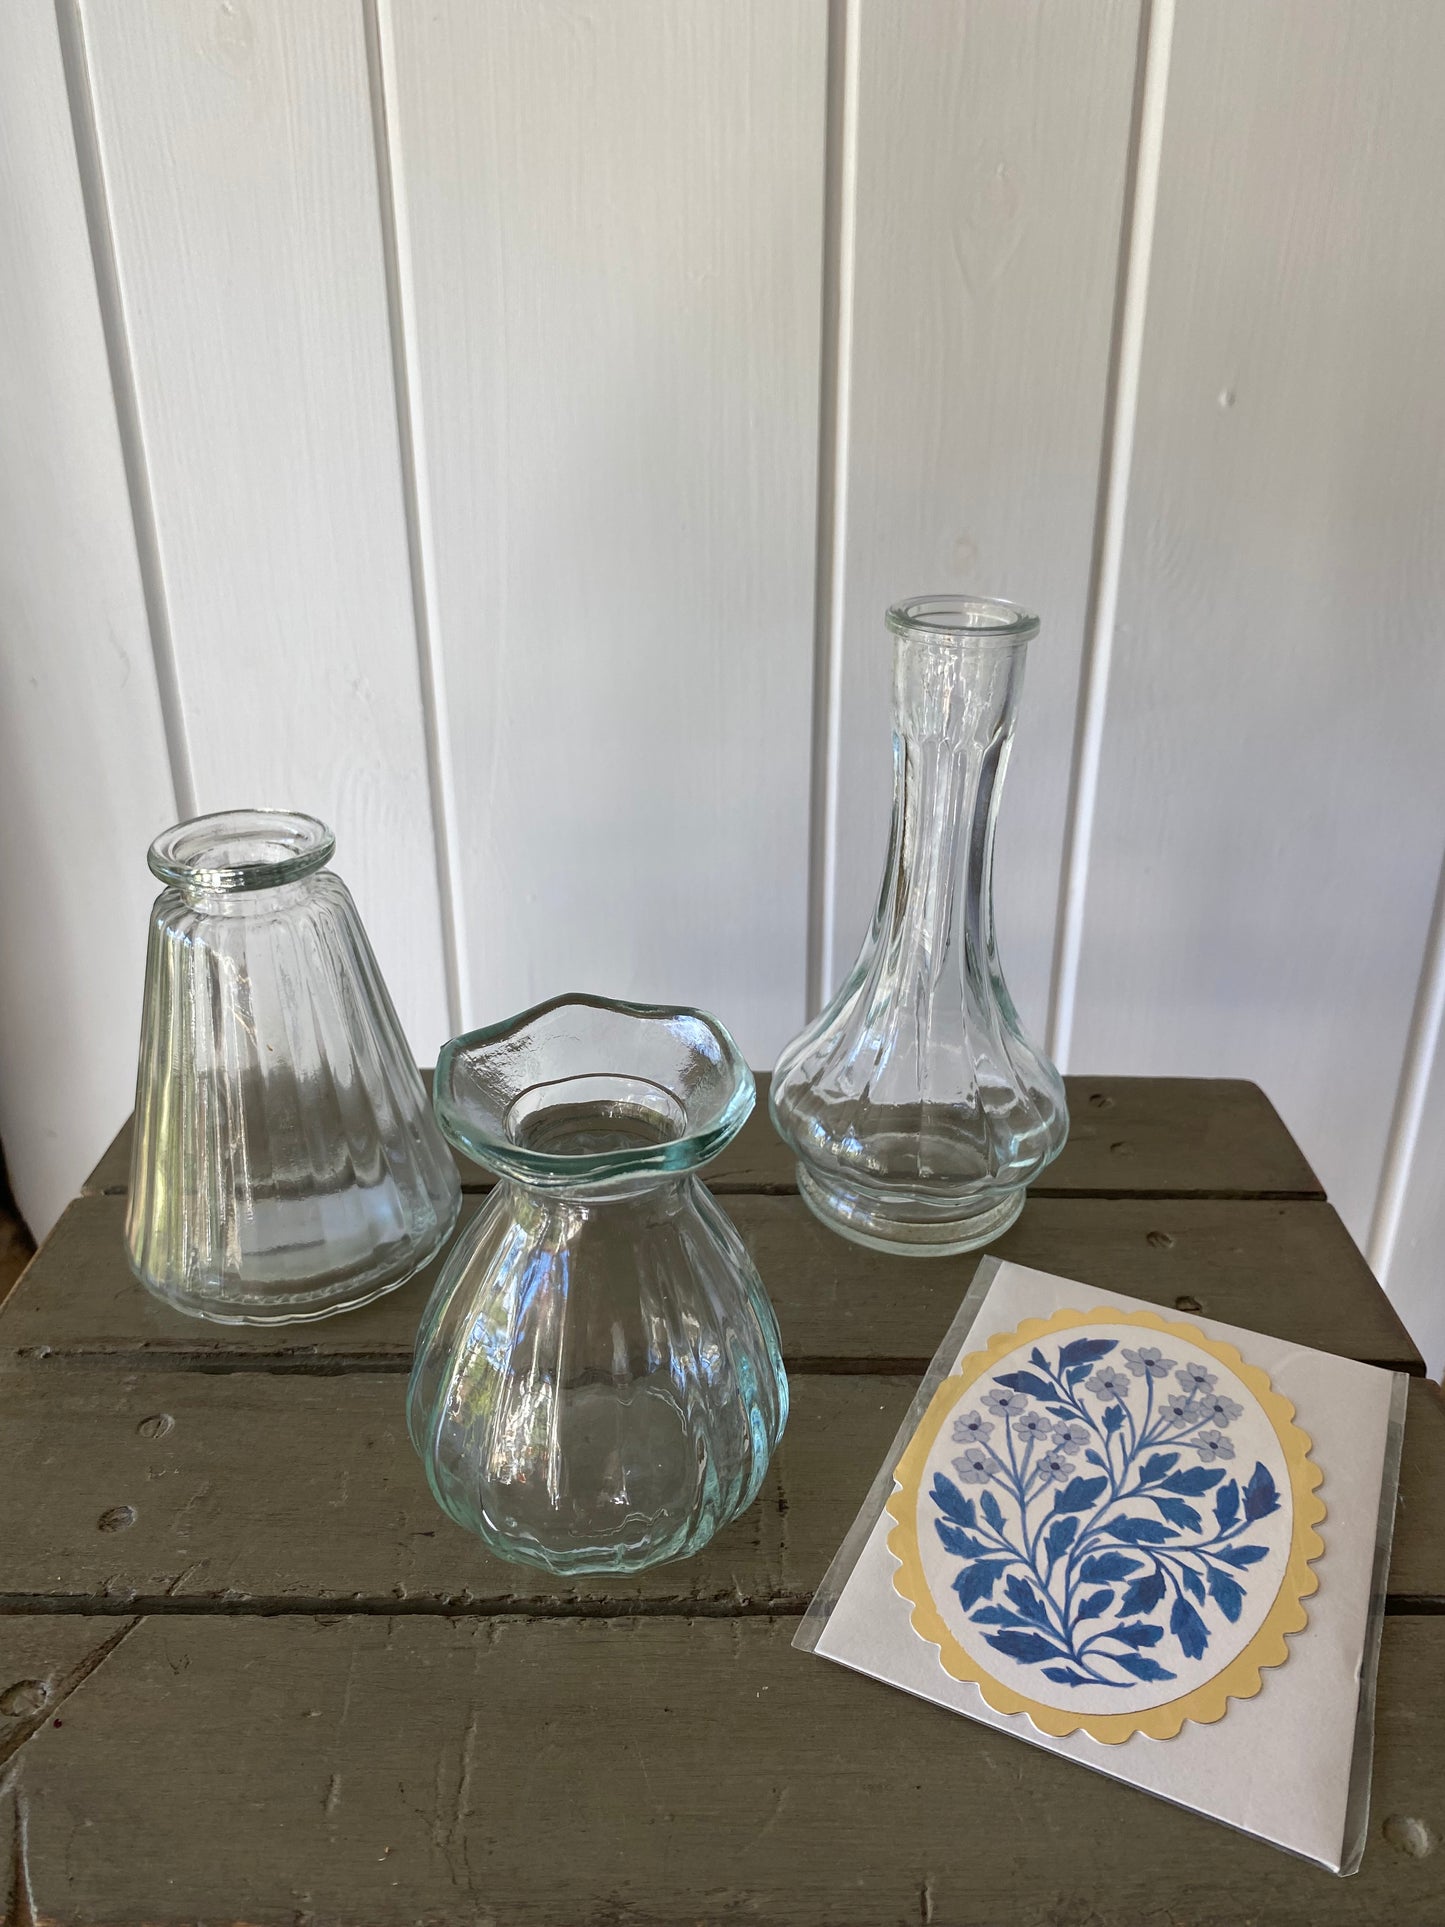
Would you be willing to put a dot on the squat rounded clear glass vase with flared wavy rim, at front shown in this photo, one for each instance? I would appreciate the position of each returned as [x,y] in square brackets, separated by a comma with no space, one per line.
[598,1383]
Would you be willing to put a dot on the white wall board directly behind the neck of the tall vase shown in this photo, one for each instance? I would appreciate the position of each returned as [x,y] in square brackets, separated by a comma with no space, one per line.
[993,145]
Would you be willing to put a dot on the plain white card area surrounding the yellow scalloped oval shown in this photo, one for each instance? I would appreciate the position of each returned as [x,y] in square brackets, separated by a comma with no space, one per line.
[1276,1766]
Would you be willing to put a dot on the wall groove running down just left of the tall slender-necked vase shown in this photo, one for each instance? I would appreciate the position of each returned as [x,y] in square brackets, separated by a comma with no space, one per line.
[835,396]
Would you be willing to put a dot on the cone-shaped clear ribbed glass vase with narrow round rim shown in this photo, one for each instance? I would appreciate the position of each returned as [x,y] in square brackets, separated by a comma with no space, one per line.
[286,1161]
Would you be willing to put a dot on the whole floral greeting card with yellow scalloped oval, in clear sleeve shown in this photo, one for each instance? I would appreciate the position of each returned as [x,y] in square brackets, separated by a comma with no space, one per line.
[1145,1541]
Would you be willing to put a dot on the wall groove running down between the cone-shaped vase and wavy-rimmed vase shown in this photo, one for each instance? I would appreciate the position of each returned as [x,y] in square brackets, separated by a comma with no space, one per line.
[402,319]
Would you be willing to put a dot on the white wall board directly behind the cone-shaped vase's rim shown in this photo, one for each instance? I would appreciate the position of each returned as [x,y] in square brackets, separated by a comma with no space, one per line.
[244,196]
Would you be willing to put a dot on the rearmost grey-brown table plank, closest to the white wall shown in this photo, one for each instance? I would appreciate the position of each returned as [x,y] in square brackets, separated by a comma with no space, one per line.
[1128,1138]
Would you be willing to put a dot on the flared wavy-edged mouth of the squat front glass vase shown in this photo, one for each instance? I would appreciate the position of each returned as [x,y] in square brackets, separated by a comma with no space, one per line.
[587,1090]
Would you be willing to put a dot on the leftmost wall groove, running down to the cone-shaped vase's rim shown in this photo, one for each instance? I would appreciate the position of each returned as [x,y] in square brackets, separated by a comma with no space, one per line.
[80,97]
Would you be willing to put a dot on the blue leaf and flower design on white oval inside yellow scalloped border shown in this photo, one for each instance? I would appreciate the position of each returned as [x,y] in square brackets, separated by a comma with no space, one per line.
[1105,1541]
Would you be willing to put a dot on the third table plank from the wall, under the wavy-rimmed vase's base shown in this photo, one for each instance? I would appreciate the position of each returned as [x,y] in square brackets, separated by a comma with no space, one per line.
[280,1494]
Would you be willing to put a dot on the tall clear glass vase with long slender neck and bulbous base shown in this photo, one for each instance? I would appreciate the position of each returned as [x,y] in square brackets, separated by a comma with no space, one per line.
[914,1103]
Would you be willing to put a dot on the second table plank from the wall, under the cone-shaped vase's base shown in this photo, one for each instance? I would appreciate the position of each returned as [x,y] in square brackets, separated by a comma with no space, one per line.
[1288,1269]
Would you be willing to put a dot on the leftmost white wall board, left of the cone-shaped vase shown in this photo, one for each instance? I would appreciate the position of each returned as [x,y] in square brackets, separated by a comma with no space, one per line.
[84,772]
